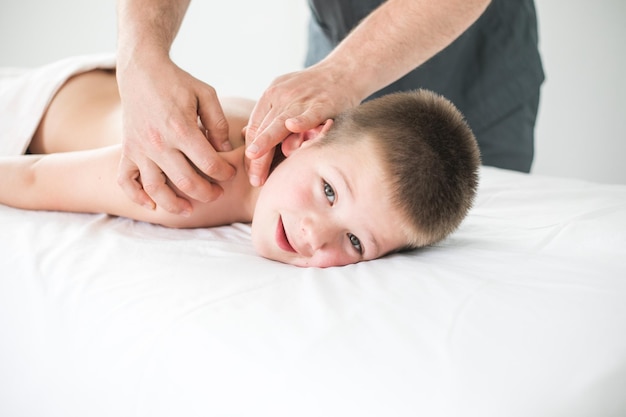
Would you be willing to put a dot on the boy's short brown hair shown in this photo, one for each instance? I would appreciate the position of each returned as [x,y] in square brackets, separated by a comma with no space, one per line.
[429,152]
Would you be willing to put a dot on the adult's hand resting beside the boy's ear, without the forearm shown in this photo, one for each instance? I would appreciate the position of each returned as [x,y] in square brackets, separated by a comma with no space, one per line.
[294,103]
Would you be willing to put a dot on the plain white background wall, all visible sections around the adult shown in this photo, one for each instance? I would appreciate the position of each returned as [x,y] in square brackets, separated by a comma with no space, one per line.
[581,131]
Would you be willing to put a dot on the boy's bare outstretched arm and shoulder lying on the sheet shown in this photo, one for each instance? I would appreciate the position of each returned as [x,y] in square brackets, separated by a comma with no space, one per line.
[85,182]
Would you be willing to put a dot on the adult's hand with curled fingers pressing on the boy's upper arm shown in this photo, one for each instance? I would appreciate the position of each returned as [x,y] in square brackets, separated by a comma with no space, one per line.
[164,147]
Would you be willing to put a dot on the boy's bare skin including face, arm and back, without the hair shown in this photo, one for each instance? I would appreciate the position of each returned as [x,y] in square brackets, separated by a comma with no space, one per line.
[316,209]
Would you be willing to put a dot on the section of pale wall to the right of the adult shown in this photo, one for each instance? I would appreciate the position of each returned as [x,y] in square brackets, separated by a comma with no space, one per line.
[581,129]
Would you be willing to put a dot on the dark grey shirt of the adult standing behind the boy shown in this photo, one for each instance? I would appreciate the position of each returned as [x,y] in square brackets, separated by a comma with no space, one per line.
[489,70]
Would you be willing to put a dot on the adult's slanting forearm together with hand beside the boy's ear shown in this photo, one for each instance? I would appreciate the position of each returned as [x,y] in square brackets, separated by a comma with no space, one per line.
[360,65]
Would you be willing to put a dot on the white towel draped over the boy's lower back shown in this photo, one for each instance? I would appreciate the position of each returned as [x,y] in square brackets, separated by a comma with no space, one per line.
[26,93]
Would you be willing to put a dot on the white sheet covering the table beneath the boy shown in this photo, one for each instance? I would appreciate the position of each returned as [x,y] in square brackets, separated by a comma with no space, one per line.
[521,312]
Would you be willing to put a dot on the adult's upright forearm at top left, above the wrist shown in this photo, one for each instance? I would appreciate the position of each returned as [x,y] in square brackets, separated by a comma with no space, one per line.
[148,26]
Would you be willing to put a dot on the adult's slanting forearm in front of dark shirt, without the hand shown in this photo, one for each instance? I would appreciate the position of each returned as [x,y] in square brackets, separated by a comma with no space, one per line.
[396,38]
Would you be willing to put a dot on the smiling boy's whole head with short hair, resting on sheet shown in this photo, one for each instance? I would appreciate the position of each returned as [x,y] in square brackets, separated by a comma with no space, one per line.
[396,172]
